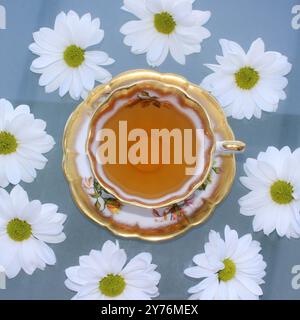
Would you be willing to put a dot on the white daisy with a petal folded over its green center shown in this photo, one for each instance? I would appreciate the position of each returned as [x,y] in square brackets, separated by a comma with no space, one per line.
[232,268]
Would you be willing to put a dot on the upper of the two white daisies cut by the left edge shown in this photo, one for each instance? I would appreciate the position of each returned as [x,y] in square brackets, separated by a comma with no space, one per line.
[23,140]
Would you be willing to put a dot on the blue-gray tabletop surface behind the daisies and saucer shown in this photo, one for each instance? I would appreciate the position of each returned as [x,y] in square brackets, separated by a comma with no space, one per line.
[239,20]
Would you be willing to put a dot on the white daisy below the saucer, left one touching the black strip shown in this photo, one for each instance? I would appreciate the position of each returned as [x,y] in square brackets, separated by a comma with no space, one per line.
[102,275]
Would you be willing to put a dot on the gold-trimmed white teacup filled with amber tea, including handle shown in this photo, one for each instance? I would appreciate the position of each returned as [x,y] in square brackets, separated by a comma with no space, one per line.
[151,145]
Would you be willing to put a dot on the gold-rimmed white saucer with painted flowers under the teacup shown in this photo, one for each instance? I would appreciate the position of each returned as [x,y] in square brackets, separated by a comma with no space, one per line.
[126,219]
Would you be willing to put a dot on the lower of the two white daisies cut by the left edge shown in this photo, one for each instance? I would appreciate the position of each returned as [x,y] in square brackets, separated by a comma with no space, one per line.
[25,226]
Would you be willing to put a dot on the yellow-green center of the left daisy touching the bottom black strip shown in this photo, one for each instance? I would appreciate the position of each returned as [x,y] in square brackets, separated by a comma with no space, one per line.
[112,285]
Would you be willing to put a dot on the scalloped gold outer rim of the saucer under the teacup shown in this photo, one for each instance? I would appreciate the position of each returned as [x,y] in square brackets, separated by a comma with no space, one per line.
[164,233]
